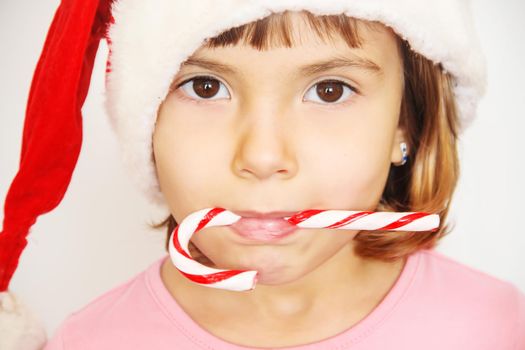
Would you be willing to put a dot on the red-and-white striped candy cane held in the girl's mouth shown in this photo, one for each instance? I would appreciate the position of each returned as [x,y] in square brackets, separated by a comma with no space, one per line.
[242,280]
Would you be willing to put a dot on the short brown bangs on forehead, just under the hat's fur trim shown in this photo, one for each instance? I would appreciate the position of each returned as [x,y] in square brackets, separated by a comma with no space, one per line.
[277,30]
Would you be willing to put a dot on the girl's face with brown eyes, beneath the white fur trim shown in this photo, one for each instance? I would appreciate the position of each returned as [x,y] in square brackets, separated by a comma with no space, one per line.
[267,139]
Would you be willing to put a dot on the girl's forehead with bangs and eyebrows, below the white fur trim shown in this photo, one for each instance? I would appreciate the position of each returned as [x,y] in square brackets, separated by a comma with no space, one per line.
[291,39]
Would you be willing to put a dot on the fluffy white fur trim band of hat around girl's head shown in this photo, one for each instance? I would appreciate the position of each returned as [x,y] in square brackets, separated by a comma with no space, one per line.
[150,39]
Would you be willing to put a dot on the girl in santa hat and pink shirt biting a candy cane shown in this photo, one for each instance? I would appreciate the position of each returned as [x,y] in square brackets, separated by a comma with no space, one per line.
[269,110]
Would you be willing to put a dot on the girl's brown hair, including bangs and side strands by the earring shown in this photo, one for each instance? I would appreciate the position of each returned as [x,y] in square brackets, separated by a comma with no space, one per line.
[428,114]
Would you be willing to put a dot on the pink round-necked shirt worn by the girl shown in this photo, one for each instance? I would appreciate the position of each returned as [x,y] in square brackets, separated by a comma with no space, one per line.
[435,304]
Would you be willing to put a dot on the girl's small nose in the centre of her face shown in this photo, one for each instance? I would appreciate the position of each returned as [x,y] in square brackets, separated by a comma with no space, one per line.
[264,146]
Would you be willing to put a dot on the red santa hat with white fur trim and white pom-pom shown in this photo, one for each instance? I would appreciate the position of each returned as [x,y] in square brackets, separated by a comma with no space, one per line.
[148,40]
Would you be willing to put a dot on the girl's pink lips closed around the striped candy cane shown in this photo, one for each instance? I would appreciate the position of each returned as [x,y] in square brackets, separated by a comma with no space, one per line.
[264,227]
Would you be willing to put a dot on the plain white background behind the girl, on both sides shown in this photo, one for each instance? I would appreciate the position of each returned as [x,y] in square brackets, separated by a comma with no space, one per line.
[98,236]
